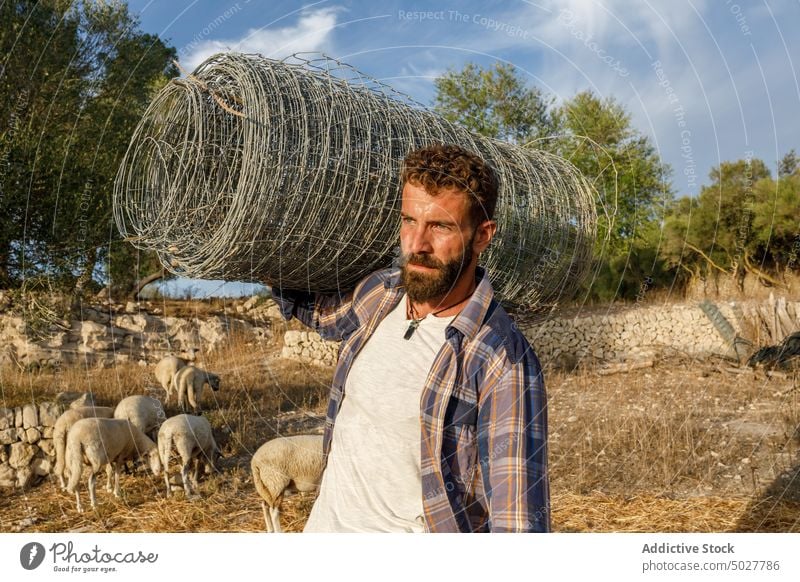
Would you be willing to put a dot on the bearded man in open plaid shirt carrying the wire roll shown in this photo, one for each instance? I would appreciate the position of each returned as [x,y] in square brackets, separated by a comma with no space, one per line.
[437,416]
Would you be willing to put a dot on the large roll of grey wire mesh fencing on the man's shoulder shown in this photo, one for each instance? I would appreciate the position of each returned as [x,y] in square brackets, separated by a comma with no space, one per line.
[288,173]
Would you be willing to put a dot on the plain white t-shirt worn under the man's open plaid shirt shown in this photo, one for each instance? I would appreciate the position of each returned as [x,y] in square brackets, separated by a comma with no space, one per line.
[372,481]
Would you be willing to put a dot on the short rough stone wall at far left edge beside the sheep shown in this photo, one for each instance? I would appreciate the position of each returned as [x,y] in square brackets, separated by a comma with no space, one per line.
[26,443]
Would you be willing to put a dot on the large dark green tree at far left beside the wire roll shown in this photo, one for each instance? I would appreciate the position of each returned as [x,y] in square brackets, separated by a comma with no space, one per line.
[76,80]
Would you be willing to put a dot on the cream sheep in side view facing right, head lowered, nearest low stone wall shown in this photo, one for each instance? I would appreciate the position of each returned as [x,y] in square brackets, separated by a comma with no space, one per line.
[105,441]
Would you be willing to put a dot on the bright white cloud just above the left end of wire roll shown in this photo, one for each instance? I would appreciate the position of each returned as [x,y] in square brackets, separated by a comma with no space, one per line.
[311,33]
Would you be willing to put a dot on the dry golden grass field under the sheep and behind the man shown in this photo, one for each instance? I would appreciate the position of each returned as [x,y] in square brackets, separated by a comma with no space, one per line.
[684,446]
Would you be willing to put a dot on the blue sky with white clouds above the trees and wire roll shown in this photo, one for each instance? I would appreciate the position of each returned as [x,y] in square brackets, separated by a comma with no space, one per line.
[707,81]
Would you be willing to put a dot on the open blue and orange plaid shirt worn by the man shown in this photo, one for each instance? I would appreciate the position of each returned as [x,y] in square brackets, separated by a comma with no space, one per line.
[483,409]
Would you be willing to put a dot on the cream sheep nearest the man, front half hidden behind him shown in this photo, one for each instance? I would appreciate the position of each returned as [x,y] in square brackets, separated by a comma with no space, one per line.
[285,464]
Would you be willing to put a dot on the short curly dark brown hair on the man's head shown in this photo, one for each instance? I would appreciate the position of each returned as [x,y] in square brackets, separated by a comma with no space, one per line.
[451,167]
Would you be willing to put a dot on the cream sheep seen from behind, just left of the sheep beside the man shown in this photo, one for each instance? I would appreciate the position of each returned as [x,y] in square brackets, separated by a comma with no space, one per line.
[194,441]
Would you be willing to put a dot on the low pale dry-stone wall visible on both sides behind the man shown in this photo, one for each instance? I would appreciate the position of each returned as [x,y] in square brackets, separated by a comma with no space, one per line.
[628,334]
